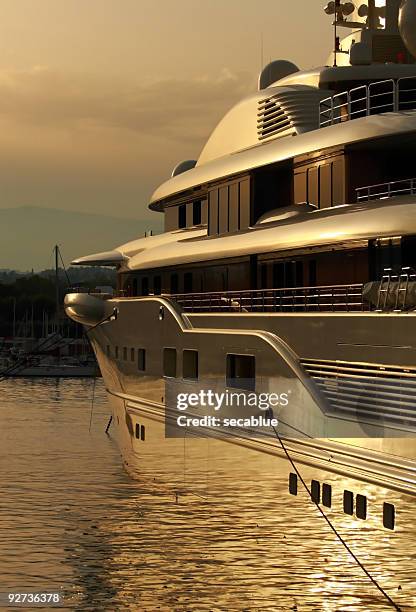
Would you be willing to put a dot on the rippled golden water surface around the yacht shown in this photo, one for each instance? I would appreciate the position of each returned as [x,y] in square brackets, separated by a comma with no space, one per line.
[71,518]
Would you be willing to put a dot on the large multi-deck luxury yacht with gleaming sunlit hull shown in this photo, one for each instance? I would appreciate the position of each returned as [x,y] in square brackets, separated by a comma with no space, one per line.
[287,260]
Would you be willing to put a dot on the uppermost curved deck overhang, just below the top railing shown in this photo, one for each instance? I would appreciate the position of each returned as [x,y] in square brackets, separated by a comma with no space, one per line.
[281,149]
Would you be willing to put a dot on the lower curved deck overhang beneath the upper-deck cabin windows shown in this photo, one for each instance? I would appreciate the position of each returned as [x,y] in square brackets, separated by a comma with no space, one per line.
[343,224]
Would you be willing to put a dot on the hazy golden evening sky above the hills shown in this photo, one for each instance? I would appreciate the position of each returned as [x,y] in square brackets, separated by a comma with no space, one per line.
[99,99]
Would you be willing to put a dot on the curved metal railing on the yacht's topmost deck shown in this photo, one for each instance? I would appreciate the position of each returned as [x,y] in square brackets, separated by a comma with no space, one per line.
[378,97]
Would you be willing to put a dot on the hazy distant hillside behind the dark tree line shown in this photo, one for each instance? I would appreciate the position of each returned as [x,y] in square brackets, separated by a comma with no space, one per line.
[28,235]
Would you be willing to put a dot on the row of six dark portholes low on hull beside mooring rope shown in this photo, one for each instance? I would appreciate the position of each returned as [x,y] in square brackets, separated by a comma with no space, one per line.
[359,509]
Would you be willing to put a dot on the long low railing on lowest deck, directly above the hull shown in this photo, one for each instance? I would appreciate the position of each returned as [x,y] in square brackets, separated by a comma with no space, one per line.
[336,298]
